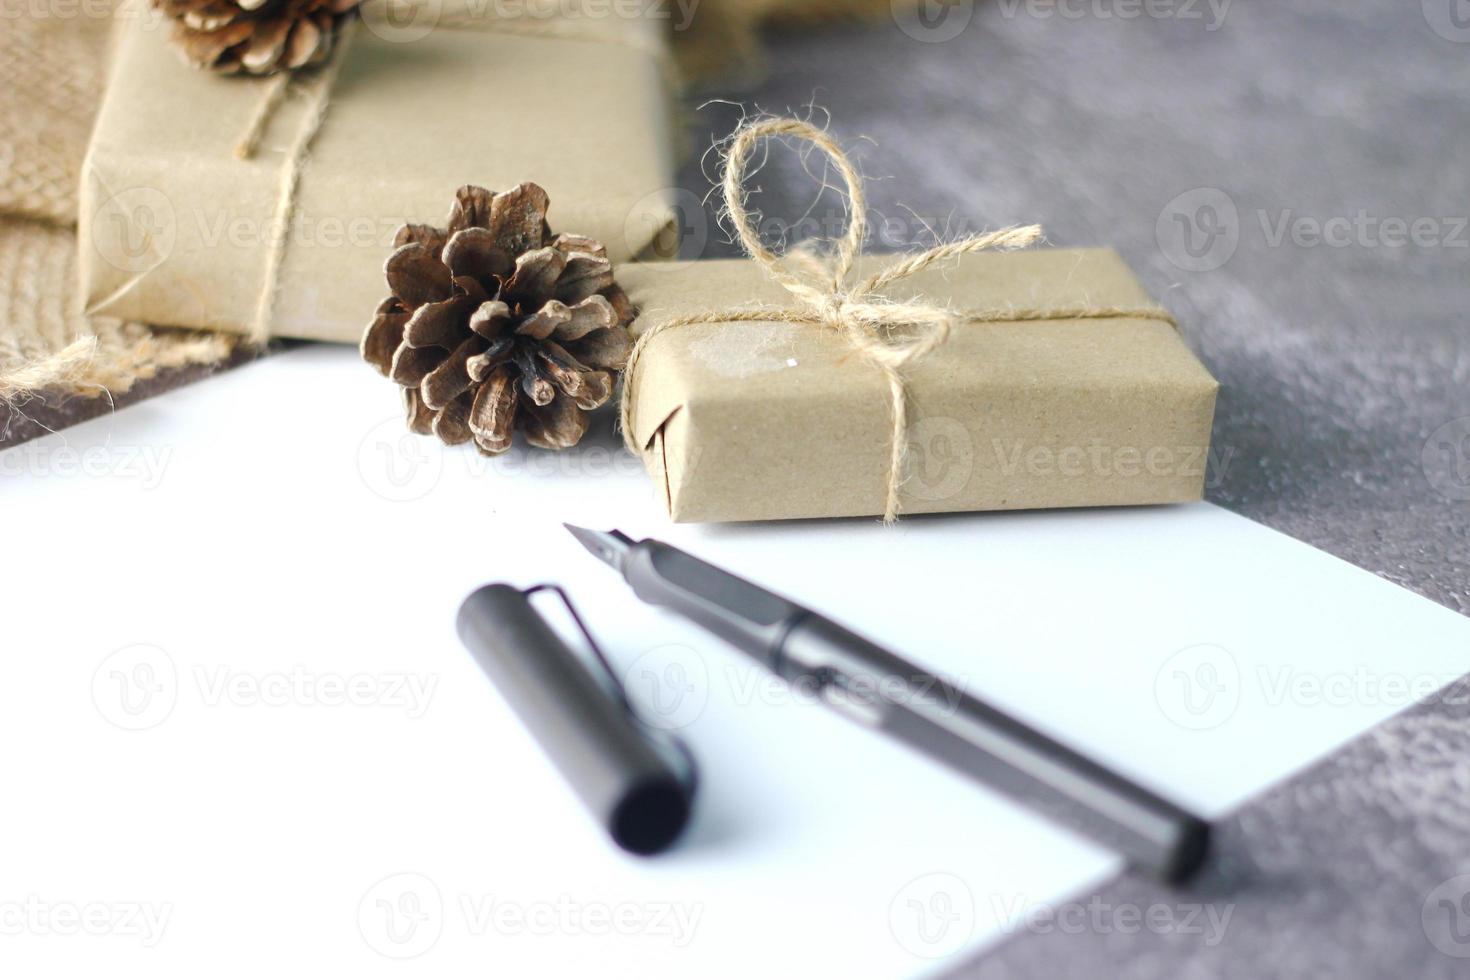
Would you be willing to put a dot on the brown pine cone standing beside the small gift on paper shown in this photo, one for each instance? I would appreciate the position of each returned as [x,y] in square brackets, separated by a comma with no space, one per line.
[496,324]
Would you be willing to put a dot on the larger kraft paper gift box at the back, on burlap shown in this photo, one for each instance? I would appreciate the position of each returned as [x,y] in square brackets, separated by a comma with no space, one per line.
[177,230]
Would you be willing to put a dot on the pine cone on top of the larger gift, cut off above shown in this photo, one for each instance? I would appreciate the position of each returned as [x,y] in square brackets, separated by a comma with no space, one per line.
[255,37]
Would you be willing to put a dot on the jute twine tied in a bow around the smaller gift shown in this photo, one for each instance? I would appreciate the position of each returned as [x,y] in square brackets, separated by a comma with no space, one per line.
[892,334]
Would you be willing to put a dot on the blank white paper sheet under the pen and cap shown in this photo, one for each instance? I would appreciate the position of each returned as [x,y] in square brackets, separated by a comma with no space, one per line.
[242,735]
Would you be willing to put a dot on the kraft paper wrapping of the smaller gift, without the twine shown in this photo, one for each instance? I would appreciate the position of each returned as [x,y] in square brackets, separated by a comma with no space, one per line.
[759,421]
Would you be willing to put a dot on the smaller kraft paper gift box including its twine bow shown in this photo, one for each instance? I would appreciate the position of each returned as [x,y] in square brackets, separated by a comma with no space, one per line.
[968,377]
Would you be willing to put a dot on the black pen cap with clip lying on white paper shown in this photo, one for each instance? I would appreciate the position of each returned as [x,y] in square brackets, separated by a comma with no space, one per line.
[630,778]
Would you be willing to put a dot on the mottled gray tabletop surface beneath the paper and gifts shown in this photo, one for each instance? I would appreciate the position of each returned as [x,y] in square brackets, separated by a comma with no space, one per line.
[1344,418]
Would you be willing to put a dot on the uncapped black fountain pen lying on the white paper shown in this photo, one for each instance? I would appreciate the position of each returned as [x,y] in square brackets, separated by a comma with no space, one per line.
[892,696]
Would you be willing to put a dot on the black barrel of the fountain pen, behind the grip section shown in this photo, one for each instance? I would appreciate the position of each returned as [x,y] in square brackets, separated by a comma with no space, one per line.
[939,719]
